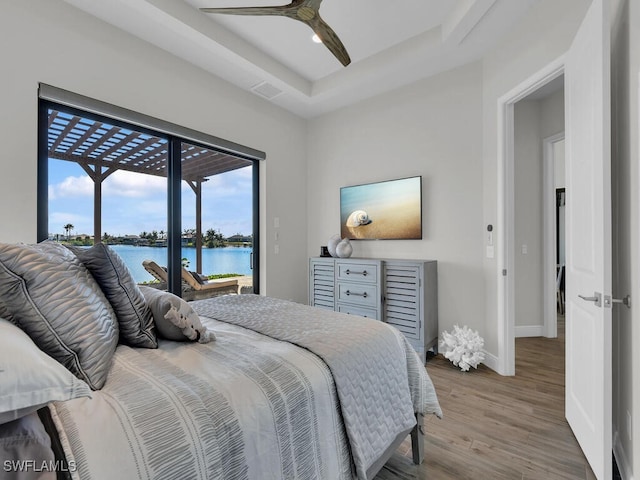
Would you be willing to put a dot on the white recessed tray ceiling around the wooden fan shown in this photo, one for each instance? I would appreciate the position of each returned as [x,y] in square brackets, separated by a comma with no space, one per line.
[391,44]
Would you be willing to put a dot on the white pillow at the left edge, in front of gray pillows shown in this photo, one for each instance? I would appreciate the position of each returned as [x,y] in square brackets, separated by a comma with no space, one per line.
[29,377]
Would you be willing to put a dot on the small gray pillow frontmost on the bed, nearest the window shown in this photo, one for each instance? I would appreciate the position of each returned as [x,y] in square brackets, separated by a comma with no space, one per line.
[175,319]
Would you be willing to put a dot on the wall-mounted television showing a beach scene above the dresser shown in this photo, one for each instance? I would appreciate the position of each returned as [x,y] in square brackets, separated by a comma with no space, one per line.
[388,210]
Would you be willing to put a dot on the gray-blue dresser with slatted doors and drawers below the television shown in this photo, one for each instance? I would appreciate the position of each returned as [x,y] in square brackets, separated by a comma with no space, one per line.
[403,293]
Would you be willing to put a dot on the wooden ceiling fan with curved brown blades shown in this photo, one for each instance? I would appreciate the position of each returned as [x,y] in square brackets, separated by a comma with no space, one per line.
[305,11]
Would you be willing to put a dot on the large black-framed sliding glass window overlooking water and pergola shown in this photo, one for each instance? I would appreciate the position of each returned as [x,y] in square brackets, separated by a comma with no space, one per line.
[150,196]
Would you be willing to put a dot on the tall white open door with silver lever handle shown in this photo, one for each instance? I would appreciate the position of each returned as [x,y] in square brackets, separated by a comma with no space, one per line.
[588,169]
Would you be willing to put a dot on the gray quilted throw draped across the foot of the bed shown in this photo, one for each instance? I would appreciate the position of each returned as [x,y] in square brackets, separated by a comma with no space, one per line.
[380,380]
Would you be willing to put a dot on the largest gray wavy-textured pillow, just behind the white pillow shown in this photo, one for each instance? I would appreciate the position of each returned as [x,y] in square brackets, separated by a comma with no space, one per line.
[52,296]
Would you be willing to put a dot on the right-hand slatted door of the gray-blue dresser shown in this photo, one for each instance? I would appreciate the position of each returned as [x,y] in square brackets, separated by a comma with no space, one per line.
[402,299]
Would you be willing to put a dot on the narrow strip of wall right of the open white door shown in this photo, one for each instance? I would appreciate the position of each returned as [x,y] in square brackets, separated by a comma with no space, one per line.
[626,235]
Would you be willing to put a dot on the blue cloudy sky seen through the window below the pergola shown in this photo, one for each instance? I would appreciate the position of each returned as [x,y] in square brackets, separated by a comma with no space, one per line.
[133,203]
